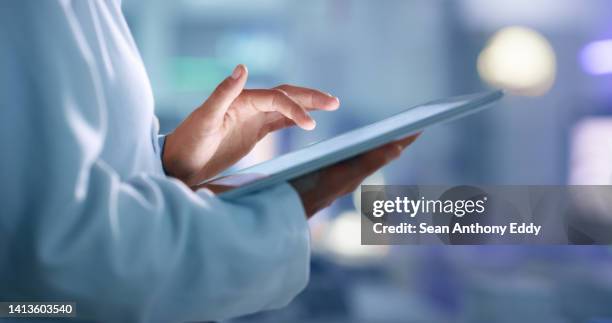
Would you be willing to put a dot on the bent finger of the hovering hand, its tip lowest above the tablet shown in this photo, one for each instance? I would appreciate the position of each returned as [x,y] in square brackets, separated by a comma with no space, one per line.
[279,101]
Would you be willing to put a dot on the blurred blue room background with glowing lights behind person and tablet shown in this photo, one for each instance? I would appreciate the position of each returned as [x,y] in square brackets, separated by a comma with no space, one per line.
[553,56]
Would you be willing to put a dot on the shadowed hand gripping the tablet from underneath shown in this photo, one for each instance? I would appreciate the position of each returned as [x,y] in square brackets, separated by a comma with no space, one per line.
[319,189]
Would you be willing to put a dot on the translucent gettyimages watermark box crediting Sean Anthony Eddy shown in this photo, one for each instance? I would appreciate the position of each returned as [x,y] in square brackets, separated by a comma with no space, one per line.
[472,215]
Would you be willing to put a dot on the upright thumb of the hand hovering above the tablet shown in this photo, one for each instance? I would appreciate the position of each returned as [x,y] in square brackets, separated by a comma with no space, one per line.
[226,92]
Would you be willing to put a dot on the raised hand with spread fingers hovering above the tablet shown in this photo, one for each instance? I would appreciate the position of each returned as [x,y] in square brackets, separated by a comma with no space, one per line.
[232,120]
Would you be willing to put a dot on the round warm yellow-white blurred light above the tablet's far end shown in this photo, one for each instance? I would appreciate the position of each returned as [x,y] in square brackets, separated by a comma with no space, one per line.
[519,60]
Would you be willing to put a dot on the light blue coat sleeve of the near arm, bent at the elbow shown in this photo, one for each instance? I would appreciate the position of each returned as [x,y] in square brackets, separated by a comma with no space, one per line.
[144,248]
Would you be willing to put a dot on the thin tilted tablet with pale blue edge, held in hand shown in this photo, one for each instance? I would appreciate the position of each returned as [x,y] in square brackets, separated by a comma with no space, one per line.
[350,144]
